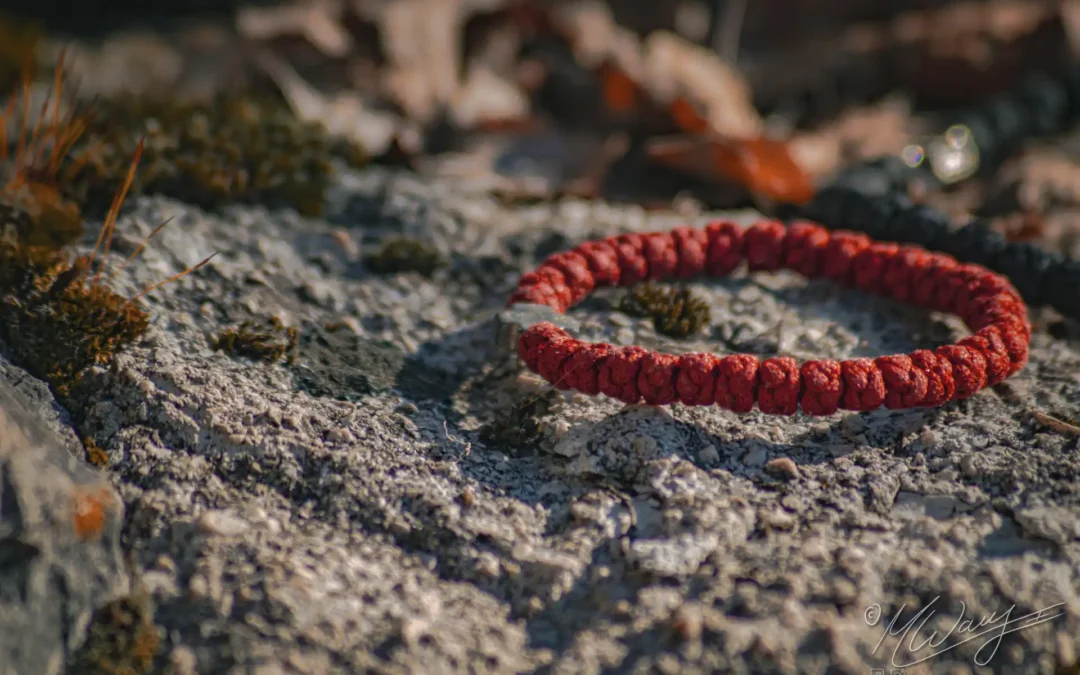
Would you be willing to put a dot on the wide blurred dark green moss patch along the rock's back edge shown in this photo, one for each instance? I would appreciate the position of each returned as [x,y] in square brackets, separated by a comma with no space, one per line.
[233,148]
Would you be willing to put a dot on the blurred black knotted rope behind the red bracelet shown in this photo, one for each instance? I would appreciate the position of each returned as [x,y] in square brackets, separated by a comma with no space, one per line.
[872,197]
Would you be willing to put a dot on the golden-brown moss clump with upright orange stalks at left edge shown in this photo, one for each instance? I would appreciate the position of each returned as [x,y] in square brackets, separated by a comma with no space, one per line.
[59,317]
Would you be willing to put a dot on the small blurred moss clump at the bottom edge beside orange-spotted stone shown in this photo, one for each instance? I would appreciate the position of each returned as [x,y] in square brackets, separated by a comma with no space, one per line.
[123,640]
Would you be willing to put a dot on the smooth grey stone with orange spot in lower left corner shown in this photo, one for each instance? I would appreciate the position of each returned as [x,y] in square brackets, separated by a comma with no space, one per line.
[59,563]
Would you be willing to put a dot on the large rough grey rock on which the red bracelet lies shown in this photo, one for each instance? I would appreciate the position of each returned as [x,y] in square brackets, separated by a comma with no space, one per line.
[291,520]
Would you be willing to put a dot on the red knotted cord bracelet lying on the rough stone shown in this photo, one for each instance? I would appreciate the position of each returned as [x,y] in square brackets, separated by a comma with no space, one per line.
[987,302]
